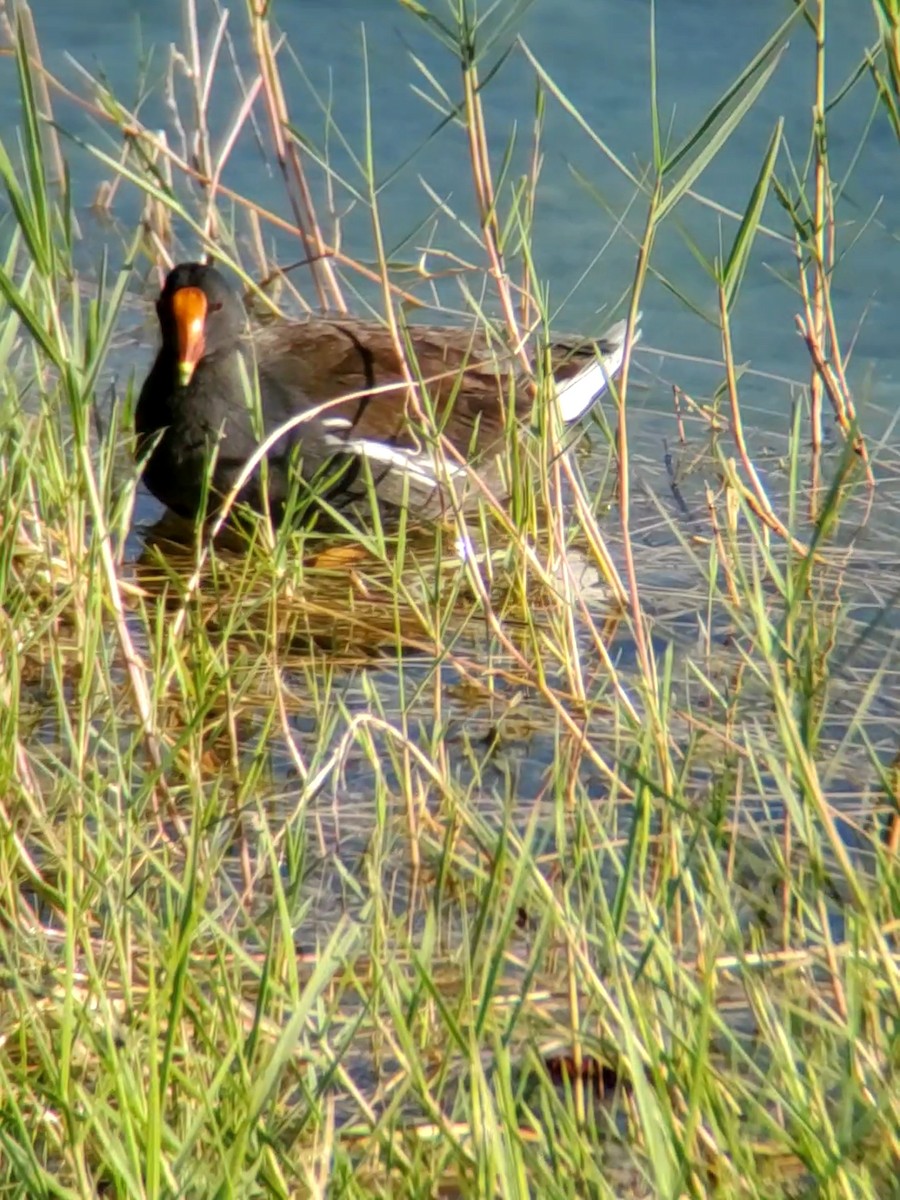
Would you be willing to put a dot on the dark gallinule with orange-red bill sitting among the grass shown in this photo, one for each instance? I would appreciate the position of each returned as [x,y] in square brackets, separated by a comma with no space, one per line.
[344,379]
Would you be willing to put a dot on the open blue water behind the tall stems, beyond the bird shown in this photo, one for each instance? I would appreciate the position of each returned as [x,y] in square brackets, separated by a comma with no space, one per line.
[598,51]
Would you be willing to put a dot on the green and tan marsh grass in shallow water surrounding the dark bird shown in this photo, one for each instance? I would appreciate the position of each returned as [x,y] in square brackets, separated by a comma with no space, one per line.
[335,865]
